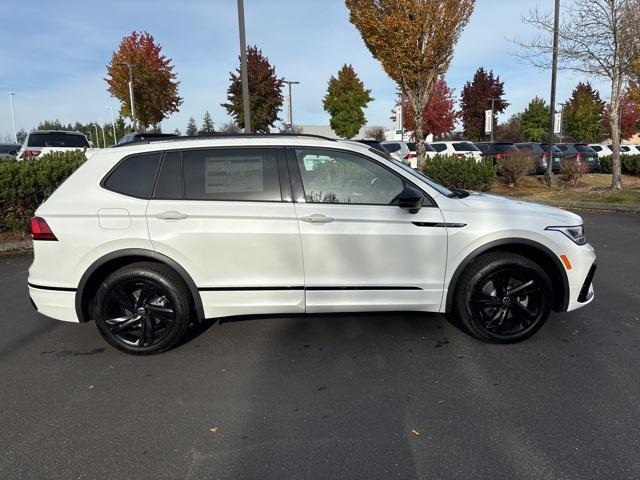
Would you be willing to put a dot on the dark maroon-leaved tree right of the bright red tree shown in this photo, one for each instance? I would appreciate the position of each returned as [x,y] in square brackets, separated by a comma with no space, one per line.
[476,98]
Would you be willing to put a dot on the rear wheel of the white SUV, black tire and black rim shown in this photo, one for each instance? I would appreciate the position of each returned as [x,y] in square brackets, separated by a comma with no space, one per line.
[142,308]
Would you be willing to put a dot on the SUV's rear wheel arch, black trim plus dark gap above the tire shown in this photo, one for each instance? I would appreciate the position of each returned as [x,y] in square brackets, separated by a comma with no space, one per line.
[119,258]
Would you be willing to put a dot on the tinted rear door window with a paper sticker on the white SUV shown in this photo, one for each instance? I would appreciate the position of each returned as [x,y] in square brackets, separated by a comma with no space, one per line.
[231,174]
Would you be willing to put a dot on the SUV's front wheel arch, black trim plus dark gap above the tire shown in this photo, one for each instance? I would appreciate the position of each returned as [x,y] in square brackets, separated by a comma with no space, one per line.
[530,249]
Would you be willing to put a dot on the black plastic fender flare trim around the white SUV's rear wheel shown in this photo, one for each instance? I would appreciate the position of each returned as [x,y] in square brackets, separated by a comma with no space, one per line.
[137,252]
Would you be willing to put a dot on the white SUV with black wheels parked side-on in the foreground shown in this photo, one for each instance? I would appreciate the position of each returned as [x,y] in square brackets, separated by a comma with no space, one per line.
[146,238]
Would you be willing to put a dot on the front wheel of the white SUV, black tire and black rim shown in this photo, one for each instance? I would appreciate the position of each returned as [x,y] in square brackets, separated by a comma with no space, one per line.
[503,297]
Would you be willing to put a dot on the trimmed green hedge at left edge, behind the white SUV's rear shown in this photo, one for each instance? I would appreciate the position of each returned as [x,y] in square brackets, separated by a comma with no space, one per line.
[25,184]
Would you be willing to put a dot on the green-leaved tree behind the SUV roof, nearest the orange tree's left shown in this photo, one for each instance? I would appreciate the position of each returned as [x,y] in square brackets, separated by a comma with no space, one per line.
[345,101]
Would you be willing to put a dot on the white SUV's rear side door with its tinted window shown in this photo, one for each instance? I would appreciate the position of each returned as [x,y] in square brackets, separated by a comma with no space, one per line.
[226,215]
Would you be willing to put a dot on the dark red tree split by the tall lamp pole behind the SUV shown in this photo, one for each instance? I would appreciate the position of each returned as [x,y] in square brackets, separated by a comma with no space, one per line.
[265,93]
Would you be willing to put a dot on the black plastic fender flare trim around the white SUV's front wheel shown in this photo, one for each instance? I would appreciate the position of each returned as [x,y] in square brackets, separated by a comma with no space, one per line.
[564,302]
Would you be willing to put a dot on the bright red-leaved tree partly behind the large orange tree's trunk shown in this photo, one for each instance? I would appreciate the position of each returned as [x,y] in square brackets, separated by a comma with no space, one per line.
[438,116]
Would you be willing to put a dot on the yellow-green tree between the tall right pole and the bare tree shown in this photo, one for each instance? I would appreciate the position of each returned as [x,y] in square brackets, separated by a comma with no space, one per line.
[583,114]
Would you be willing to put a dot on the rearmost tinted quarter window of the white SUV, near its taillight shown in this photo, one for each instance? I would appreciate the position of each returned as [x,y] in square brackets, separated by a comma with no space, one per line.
[135,175]
